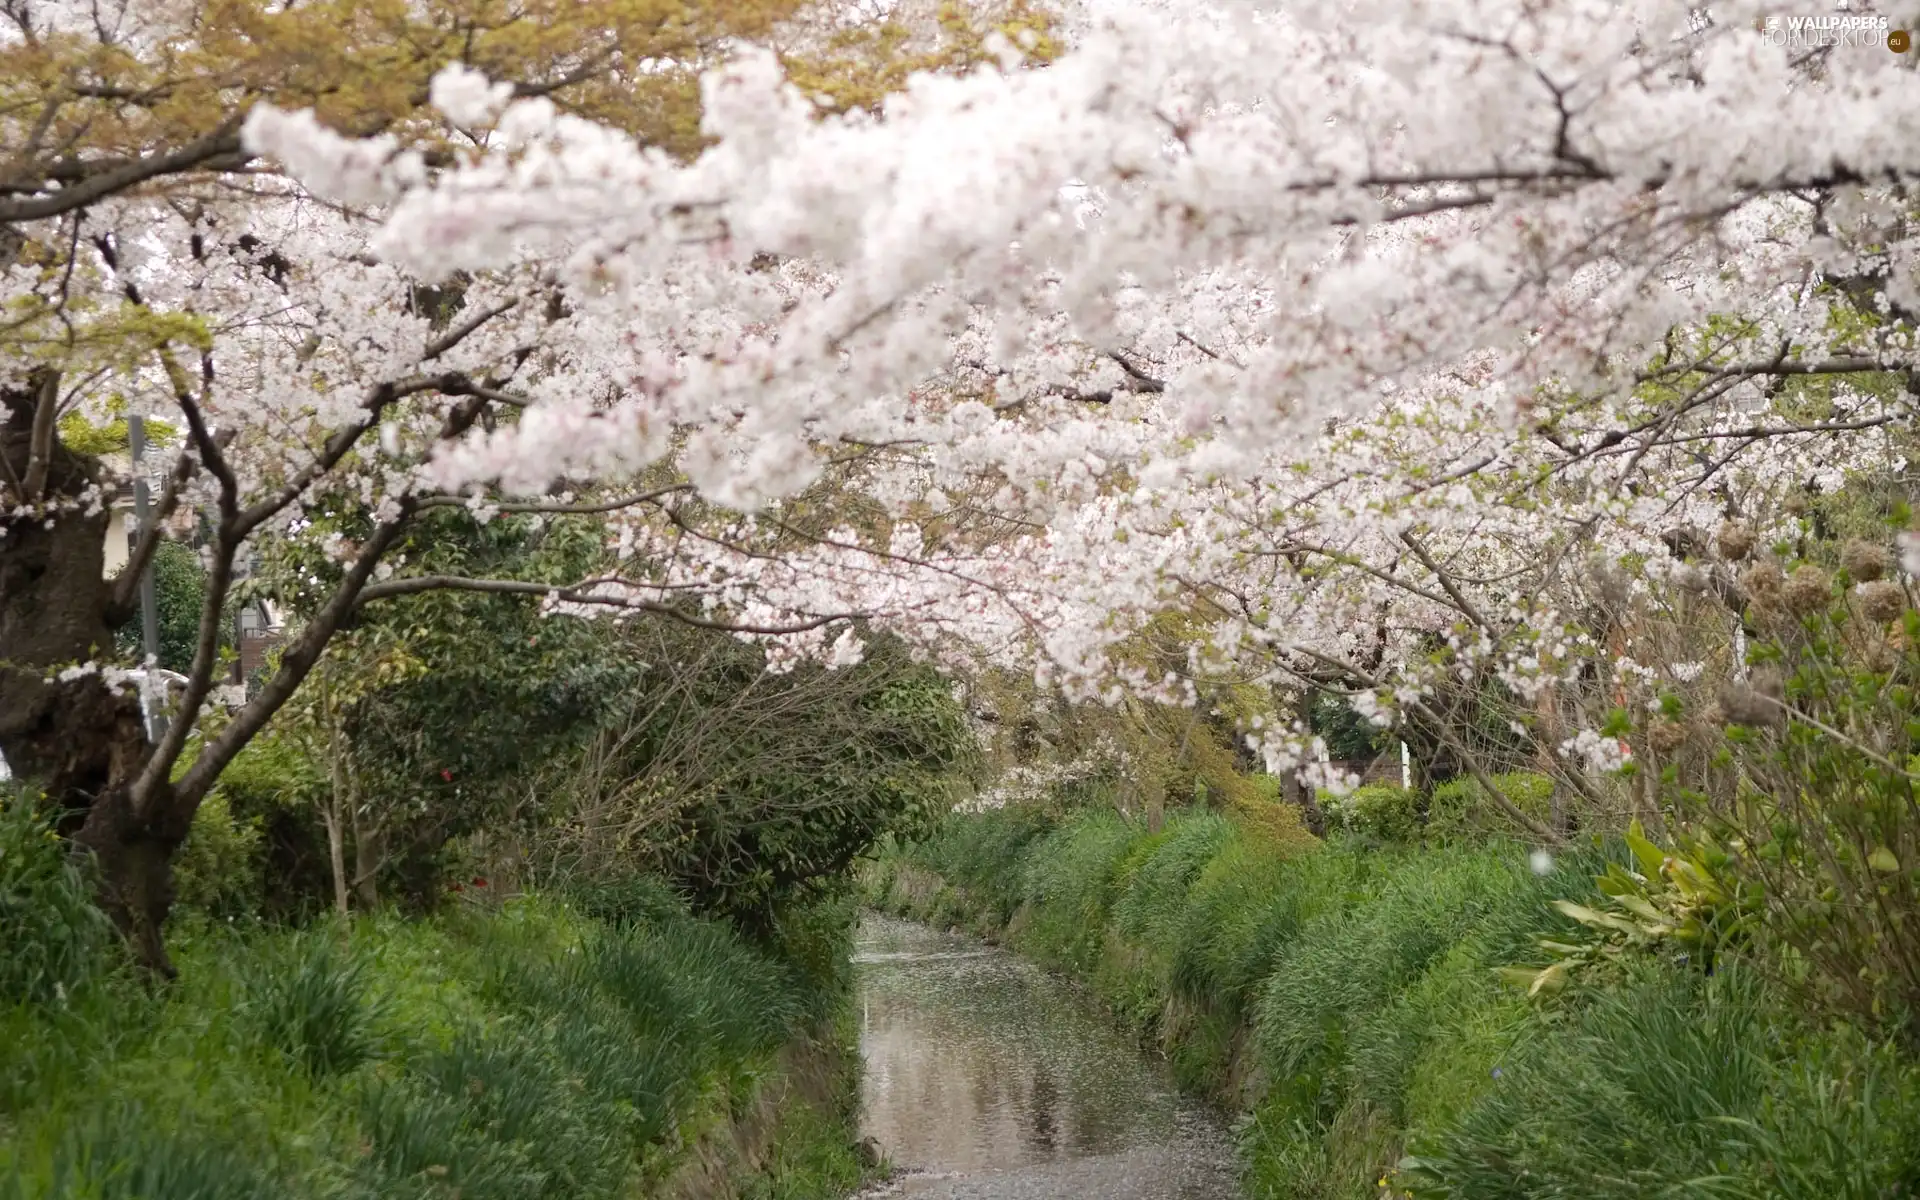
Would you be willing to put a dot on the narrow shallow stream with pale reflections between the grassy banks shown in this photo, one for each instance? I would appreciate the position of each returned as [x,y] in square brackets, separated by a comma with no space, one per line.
[994,1082]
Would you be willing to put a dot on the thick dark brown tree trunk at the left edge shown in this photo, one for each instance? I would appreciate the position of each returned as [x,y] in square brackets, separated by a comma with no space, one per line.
[78,740]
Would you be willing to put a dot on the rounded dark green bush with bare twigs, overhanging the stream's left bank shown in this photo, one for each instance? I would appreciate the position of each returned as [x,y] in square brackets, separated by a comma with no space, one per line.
[746,784]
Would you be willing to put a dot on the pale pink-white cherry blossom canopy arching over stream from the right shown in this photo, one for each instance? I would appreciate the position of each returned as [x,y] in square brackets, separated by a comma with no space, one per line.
[1433,291]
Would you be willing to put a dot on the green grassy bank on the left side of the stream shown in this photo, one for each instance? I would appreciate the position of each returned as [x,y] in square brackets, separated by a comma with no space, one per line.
[610,1045]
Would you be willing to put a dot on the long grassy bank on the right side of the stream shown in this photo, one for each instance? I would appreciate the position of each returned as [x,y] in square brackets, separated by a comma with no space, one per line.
[1345,1001]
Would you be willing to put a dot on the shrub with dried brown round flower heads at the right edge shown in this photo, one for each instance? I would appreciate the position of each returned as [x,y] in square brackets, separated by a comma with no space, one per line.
[1806,767]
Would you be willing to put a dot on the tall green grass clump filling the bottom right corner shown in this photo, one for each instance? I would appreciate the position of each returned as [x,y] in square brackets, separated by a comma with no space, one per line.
[1679,1084]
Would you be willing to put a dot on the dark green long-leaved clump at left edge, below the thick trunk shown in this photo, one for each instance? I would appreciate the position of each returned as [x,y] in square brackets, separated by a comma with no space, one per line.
[55,938]
